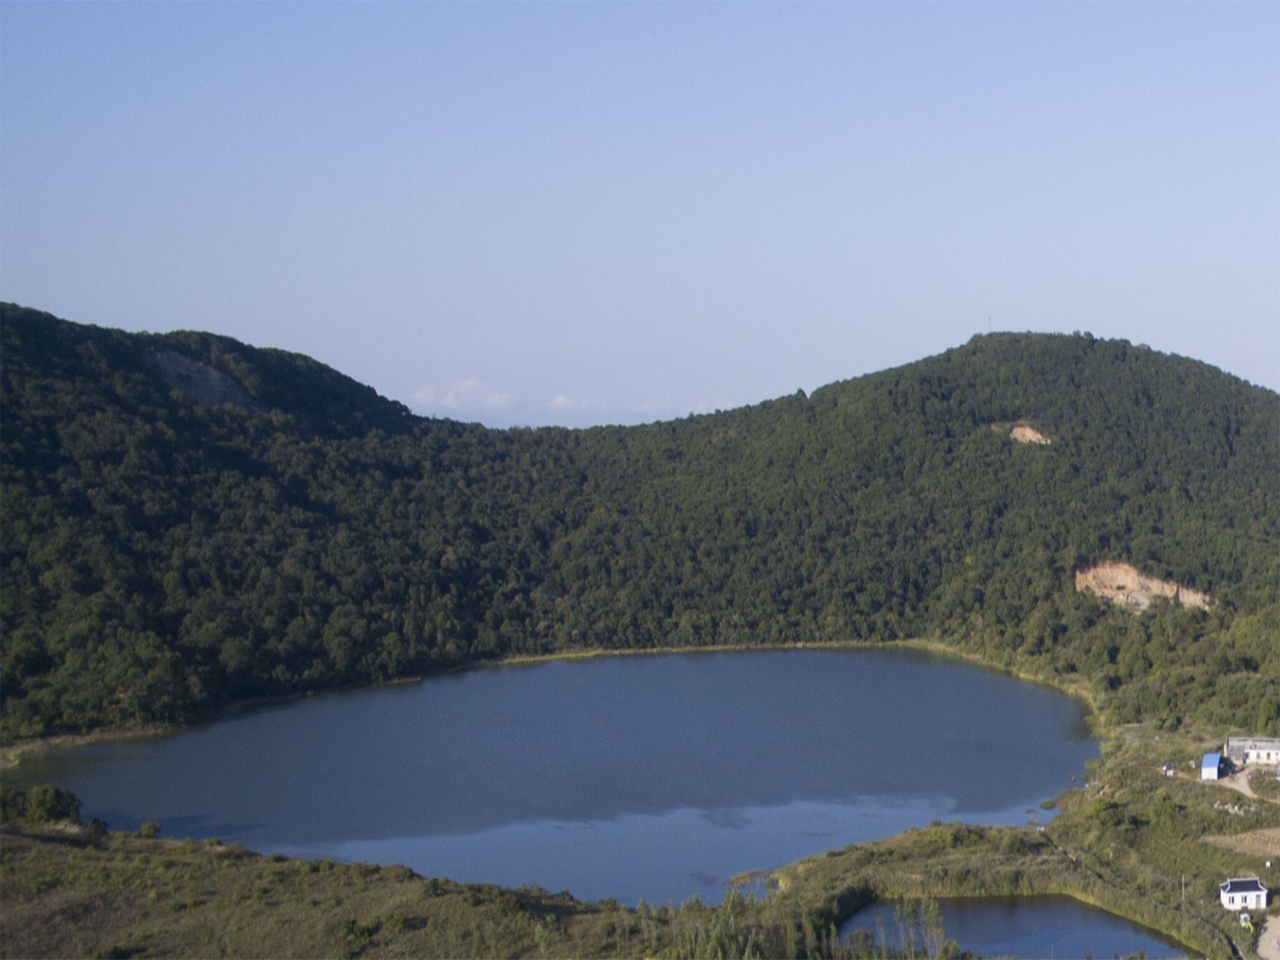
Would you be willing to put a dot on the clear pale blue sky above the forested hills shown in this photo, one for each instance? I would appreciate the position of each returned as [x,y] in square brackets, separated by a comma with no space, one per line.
[614,213]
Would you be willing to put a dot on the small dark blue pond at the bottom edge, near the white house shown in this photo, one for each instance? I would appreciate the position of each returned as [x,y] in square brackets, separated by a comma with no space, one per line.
[1026,927]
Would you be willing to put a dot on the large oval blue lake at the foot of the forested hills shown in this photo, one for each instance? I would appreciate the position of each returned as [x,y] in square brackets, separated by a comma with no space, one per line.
[651,778]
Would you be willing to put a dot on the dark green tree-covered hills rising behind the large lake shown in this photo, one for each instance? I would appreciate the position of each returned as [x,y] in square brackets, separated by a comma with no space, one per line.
[188,522]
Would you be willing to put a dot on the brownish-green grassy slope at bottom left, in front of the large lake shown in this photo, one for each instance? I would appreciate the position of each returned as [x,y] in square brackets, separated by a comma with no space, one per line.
[66,895]
